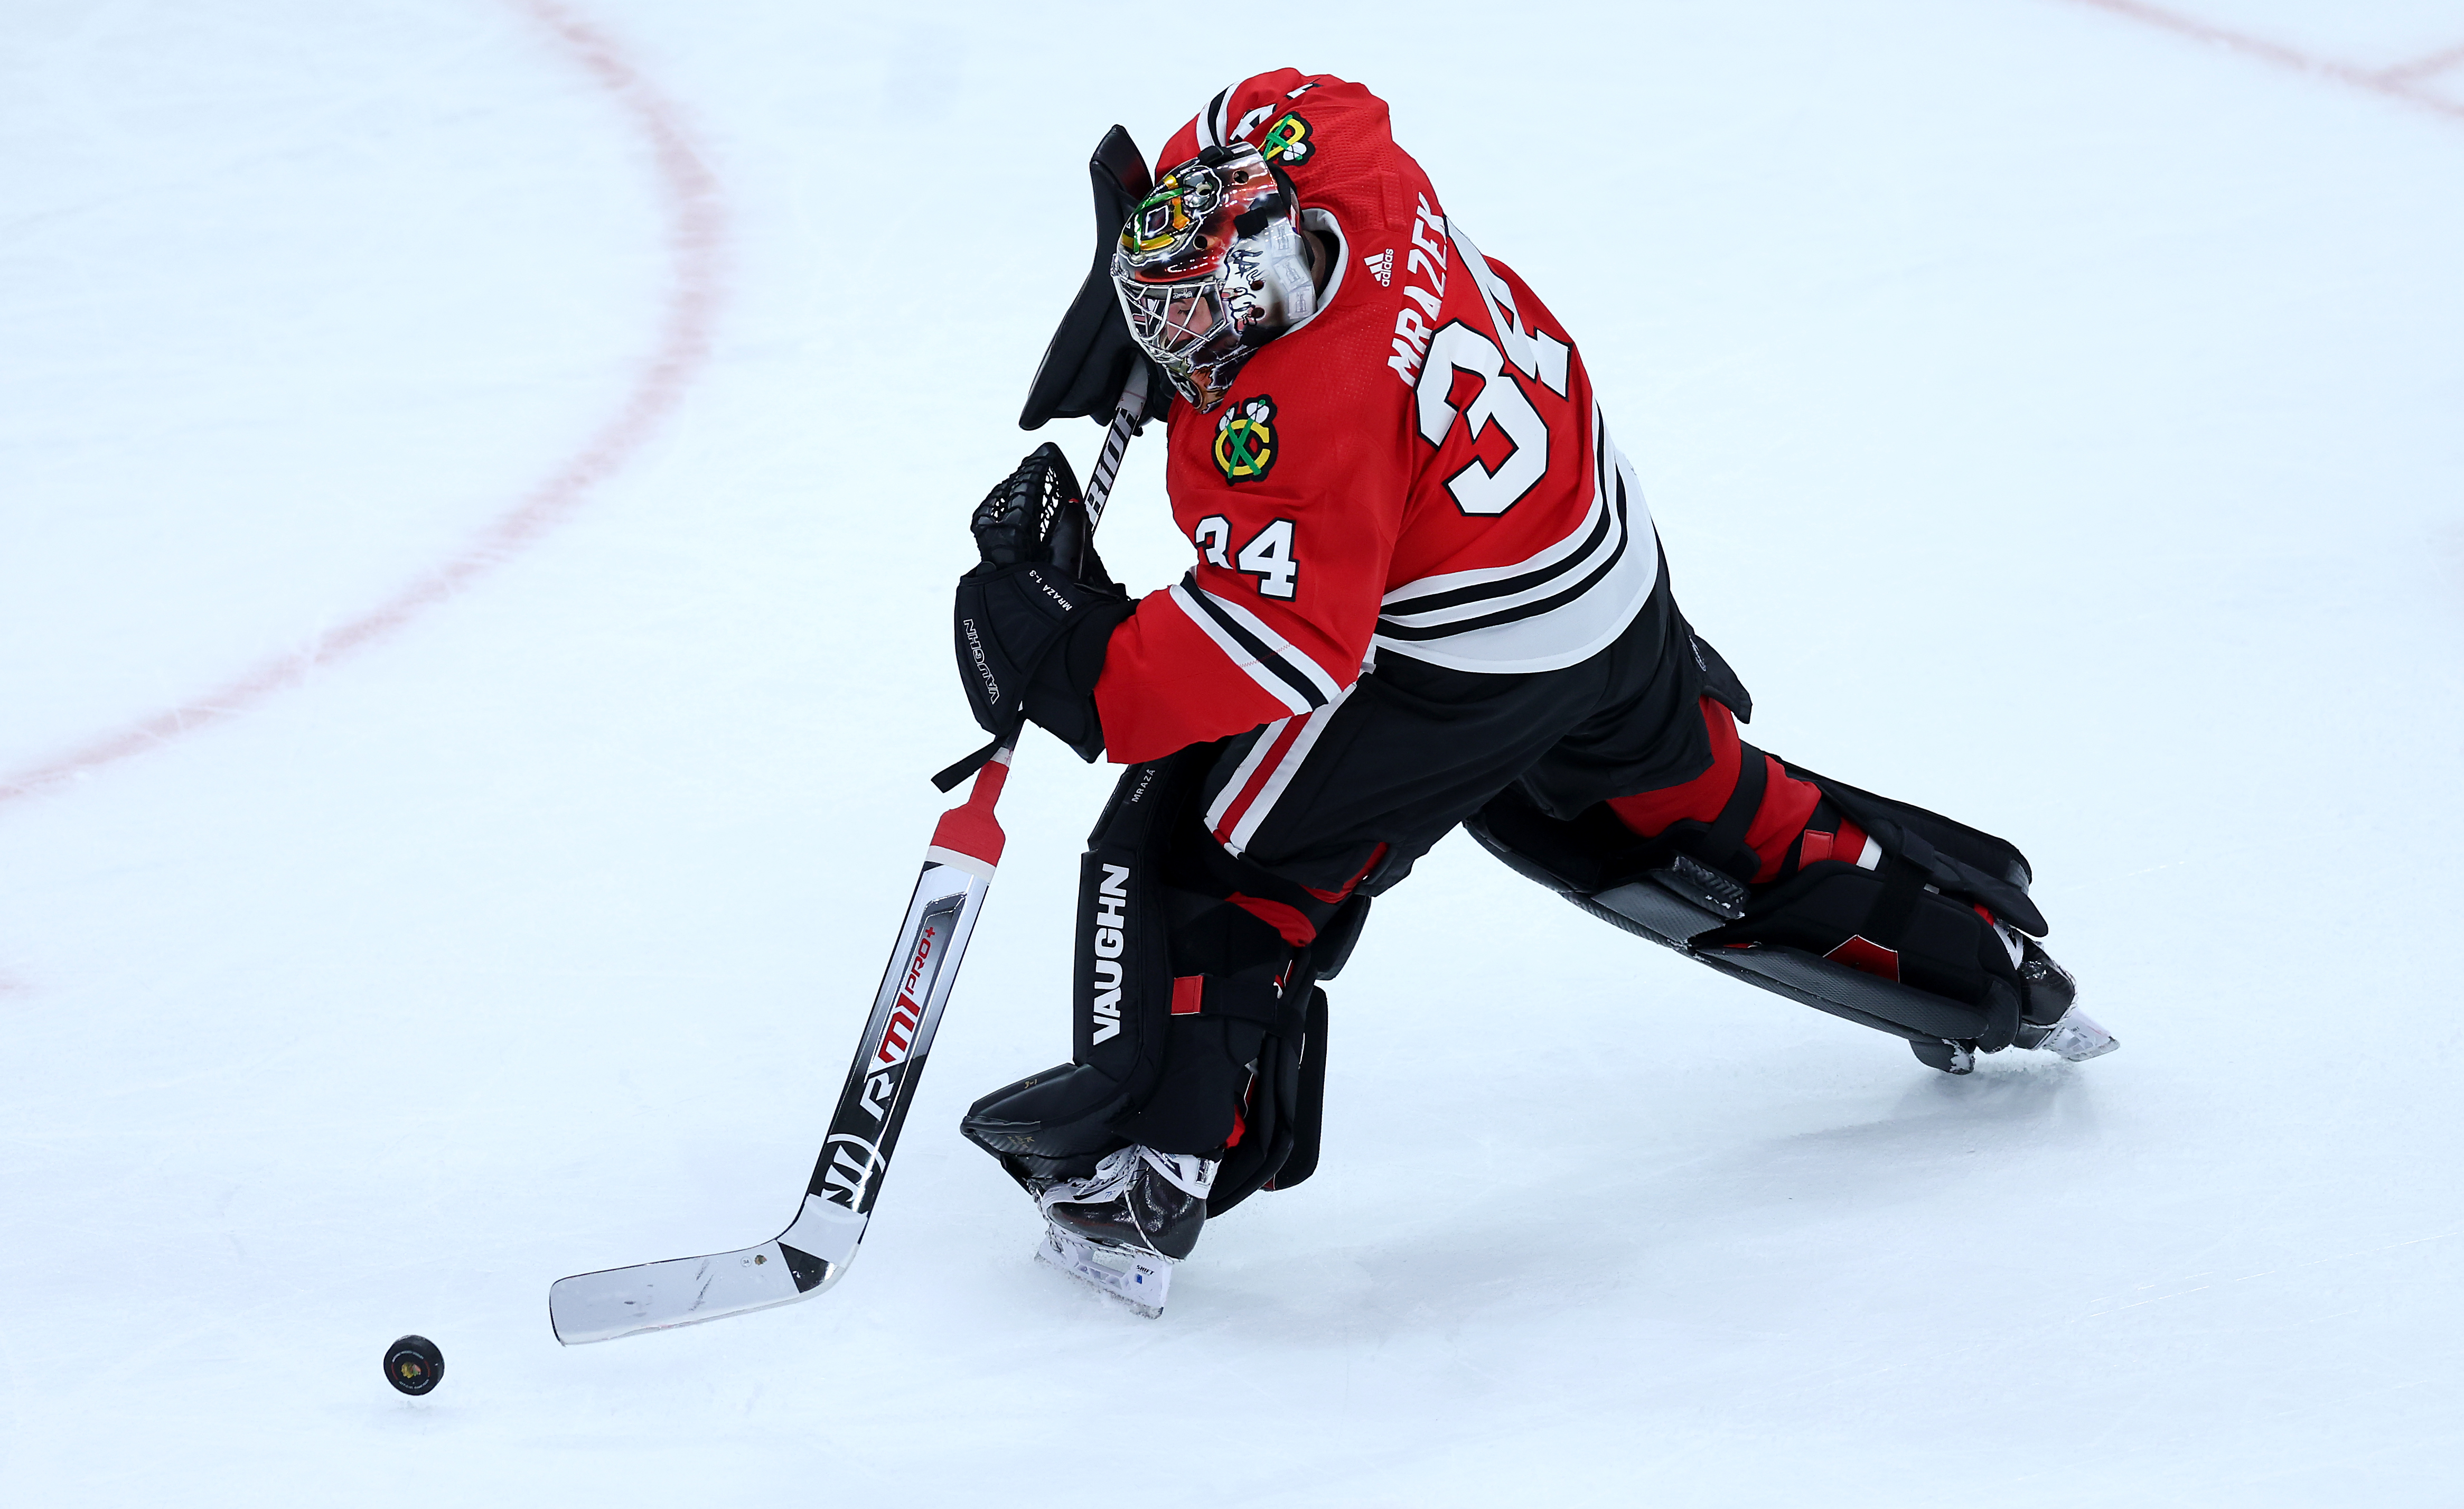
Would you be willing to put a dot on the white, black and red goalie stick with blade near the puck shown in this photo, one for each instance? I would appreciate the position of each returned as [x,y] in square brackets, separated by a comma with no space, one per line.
[819,1244]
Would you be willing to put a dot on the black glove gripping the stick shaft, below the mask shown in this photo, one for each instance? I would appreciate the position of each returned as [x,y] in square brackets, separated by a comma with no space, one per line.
[1036,615]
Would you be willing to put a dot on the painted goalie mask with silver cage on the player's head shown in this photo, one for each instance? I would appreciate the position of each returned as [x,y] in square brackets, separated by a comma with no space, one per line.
[1214,268]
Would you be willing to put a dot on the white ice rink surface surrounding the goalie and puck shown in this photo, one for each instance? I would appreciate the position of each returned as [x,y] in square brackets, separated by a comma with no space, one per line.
[479,494]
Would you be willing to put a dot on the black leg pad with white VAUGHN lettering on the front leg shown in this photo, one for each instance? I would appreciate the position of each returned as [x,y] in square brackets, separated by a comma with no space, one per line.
[1199,1024]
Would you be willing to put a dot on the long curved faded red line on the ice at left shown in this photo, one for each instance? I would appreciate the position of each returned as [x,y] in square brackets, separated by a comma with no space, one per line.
[694,243]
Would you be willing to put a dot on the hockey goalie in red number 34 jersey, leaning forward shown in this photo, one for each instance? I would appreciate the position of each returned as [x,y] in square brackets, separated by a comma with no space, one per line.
[1425,593]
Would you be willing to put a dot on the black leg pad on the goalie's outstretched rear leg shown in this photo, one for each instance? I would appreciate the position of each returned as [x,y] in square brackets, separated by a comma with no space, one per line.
[1923,946]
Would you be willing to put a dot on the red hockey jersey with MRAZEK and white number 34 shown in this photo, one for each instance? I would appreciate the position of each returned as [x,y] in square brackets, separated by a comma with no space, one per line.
[1418,470]
